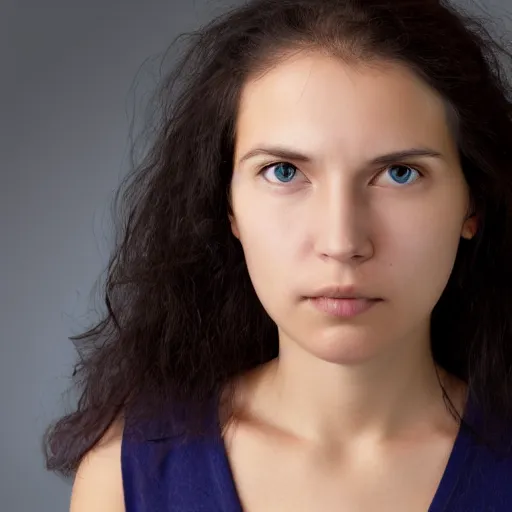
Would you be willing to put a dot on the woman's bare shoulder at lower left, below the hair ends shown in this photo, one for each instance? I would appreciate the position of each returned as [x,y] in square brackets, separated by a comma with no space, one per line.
[98,483]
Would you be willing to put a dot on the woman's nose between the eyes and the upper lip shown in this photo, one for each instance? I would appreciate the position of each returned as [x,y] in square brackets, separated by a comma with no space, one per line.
[342,230]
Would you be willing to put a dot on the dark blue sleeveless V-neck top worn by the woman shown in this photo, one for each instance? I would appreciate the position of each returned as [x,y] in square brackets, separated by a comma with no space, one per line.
[161,473]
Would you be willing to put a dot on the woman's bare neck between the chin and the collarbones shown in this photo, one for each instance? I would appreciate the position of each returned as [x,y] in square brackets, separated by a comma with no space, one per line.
[329,403]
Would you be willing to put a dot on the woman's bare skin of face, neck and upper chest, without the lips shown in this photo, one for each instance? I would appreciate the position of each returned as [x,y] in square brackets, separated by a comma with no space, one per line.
[345,388]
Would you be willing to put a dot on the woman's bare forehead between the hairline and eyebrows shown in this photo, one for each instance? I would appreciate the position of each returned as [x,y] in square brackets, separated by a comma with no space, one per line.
[320,101]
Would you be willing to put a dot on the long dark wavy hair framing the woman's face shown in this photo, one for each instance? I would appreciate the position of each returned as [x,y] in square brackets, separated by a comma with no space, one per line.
[182,318]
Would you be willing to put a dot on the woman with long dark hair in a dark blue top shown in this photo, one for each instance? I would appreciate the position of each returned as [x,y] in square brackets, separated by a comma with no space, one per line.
[309,305]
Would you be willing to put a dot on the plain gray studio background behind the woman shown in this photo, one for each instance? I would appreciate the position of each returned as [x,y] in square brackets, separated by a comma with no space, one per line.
[73,76]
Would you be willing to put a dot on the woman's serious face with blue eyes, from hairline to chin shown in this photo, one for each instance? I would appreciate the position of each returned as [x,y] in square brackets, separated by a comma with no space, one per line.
[317,203]
